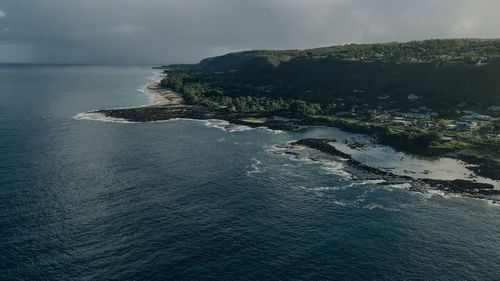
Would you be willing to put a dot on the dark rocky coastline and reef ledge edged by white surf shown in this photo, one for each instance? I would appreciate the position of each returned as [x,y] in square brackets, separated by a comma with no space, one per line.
[172,107]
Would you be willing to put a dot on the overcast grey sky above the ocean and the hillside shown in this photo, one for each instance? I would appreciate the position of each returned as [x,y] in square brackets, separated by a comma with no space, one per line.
[185,31]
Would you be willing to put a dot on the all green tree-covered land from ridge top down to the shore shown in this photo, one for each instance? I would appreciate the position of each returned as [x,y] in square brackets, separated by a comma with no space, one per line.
[361,88]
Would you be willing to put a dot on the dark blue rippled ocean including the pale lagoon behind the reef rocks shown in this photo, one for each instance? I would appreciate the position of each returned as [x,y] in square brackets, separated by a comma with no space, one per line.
[88,198]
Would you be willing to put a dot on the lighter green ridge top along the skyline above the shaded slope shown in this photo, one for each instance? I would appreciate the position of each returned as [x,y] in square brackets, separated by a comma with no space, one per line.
[468,51]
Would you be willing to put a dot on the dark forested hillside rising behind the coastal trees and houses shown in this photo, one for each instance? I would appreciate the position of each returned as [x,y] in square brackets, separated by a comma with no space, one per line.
[443,74]
